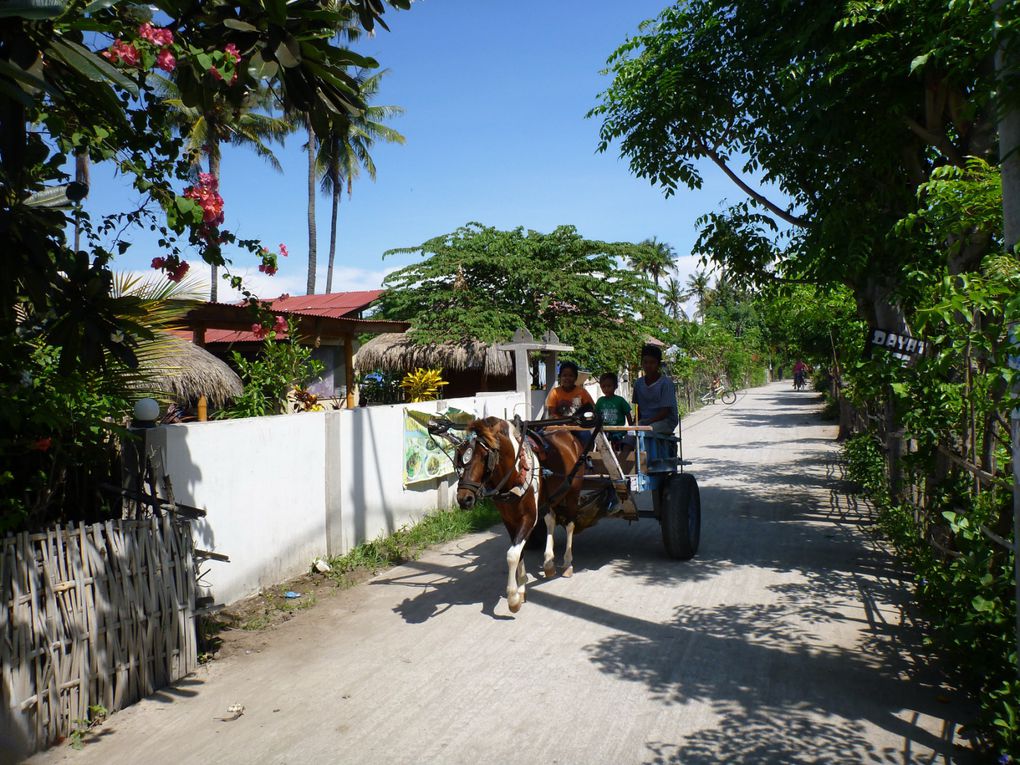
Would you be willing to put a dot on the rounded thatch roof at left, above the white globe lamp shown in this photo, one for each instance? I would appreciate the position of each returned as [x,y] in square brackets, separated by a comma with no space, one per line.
[187,373]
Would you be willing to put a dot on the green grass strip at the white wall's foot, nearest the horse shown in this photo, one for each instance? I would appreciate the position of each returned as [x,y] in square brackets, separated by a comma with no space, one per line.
[409,543]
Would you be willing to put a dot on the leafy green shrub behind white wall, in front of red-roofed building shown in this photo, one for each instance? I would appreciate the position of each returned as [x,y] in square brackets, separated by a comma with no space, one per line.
[280,368]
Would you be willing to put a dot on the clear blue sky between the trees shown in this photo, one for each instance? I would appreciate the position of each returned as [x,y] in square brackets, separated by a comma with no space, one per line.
[495,95]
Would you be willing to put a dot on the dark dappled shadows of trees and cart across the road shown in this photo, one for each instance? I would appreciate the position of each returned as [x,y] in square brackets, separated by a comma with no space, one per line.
[771,668]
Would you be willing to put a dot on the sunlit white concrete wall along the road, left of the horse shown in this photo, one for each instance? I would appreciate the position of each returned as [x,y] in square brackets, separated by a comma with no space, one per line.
[281,491]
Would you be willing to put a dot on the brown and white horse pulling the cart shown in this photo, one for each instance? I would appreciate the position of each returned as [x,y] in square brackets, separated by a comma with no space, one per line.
[494,463]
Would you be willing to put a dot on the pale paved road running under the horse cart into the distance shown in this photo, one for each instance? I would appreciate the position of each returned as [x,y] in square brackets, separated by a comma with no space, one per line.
[783,642]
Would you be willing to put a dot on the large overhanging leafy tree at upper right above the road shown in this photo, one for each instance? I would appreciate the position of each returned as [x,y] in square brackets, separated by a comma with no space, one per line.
[845,111]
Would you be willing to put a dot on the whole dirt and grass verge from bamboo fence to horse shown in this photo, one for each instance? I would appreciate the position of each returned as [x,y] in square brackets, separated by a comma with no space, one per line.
[273,606]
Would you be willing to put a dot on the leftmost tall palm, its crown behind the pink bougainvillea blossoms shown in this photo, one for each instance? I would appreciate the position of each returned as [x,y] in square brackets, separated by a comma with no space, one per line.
[209,128]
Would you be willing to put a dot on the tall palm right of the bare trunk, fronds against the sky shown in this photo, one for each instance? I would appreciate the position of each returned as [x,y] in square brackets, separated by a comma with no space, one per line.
[343,156]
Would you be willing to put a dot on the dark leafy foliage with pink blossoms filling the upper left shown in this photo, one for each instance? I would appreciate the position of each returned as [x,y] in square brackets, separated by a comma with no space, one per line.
[67,91]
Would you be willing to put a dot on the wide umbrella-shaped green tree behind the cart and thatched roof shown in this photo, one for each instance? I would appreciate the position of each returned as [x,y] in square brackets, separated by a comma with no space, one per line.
[482,283]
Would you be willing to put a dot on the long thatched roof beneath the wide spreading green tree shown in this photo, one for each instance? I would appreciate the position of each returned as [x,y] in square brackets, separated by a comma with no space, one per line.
[397,352]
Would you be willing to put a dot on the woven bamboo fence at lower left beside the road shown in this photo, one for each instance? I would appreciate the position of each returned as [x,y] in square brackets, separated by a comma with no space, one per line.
[92,616]
